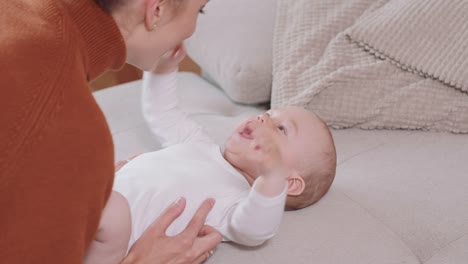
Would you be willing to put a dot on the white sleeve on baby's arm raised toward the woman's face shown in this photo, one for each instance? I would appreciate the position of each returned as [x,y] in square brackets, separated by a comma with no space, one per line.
[160,109]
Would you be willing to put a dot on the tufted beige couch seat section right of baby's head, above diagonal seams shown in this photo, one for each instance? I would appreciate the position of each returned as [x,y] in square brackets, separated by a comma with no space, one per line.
[414,182]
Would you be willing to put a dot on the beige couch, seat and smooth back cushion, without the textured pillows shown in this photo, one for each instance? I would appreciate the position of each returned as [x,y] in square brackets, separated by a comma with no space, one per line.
[398,197]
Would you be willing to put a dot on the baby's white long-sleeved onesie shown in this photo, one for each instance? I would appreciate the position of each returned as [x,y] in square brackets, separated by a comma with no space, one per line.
[191,165]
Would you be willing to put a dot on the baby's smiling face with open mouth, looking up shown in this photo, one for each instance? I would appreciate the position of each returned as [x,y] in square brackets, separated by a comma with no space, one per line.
[291,130]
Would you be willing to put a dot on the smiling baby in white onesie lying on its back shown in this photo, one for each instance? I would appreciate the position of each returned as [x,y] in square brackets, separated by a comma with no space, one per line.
[284,158]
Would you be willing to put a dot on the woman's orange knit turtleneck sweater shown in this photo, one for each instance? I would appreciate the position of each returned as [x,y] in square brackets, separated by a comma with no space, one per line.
[56,151]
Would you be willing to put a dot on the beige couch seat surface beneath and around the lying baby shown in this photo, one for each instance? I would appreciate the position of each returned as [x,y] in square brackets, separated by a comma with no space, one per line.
[399,197]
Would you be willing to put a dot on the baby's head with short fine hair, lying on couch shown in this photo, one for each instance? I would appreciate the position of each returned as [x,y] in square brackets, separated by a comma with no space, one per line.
[305,144]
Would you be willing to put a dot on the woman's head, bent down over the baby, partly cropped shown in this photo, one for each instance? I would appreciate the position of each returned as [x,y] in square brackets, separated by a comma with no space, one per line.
[152,27]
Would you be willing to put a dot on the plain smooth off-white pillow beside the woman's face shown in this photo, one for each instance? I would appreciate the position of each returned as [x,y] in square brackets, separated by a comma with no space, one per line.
[233,46]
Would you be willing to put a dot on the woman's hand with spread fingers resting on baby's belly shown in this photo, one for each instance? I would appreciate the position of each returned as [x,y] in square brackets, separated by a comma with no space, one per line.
[194,245]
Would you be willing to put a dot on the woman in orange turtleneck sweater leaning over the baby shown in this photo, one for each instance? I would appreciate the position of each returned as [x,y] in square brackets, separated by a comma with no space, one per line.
[56,150]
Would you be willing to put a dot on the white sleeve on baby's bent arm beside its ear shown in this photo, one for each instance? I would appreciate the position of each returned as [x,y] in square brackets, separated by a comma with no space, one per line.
[256,218]
